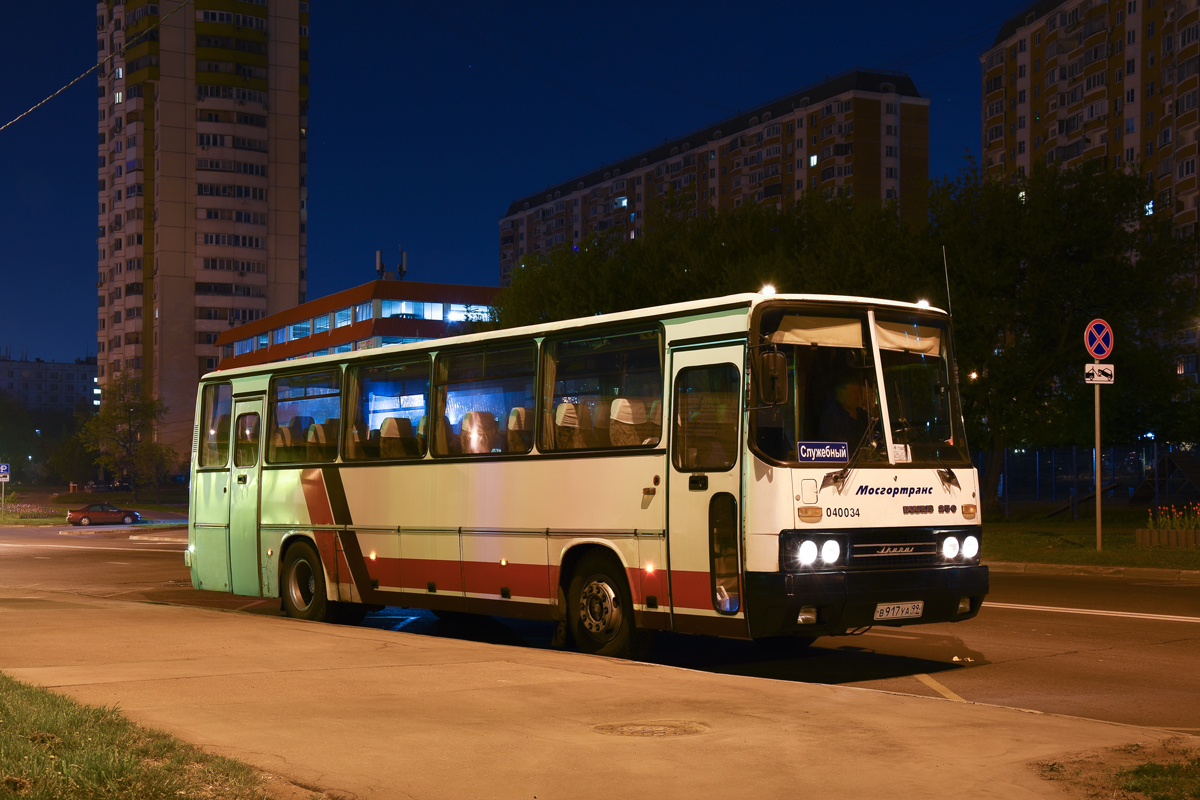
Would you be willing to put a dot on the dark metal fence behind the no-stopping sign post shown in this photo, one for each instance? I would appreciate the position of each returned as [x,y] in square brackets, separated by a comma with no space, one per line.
[1049,476]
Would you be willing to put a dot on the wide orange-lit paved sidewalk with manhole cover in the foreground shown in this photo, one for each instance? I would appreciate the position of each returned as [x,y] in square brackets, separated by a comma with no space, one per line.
[382,714]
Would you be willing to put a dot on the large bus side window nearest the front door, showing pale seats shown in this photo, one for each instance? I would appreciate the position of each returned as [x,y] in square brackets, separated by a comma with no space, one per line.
[603,392]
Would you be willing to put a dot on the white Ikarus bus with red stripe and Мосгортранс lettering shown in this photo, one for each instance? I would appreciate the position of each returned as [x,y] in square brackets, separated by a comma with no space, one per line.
[758,467]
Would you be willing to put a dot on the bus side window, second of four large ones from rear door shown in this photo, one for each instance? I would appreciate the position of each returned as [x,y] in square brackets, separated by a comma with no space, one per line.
[388,407]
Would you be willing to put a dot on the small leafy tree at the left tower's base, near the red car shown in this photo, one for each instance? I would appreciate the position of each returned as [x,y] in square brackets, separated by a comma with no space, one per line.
[127,418]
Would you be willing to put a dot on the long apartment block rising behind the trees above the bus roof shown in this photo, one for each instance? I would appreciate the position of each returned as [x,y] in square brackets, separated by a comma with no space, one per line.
[862,135]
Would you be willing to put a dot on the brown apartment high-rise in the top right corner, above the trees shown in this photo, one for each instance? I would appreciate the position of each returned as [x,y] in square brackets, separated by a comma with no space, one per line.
[1088,81]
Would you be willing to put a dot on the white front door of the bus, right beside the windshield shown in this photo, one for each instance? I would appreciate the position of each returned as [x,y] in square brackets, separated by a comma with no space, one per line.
[705,490]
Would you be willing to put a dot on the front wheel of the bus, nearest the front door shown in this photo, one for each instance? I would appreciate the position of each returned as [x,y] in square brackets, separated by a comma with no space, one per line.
[601,610]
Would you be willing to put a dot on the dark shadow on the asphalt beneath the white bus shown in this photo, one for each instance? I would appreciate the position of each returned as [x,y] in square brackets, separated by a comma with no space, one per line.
[831,660]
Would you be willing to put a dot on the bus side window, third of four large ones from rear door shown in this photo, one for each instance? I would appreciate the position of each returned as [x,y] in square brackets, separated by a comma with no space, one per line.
[484,402]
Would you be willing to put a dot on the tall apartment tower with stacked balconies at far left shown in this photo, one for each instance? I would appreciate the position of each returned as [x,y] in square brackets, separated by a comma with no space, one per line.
[202,171]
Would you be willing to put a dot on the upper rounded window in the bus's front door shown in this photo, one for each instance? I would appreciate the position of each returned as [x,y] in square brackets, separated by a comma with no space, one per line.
[706,418]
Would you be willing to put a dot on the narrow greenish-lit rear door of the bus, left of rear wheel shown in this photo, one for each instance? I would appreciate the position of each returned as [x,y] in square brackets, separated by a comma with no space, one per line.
[244,497]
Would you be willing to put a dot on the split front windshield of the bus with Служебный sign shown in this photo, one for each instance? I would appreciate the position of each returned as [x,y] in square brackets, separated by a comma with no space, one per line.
[833,413]
